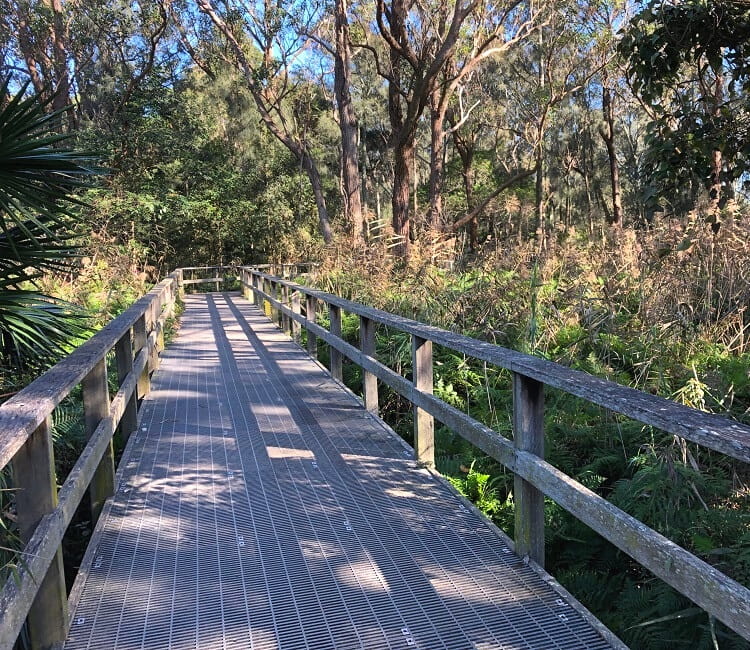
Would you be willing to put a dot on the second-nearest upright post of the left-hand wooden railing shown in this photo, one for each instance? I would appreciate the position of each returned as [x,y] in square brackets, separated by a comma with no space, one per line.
[95,409]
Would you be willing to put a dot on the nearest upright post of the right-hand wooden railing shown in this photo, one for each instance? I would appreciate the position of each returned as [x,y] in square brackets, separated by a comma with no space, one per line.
[528,435]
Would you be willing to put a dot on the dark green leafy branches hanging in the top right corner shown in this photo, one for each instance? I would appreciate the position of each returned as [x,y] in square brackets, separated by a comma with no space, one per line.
[691,62]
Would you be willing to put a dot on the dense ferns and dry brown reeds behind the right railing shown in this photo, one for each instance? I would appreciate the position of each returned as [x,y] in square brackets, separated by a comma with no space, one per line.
[665,313]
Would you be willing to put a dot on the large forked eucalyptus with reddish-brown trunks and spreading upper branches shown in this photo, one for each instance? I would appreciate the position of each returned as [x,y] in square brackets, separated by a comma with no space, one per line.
[430,48]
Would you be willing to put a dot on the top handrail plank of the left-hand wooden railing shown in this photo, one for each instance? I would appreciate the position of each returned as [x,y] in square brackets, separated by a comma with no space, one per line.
[23,413]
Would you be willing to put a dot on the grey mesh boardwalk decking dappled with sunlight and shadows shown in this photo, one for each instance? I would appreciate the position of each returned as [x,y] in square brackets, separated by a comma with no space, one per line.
[261,507]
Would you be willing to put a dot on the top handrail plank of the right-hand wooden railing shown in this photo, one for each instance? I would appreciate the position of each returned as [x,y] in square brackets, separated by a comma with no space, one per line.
[709,430]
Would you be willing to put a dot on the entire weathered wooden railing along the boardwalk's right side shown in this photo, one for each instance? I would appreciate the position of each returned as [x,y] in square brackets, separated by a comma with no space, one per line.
[294,306]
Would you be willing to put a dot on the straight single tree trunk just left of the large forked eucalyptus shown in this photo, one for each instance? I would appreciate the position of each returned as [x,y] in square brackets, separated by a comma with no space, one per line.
[351,180]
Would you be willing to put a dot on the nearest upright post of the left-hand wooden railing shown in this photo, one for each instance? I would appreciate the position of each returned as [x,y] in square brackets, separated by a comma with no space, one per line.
[36,495]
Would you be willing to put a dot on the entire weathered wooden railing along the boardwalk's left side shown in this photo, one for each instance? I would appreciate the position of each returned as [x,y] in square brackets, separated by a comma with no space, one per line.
[37,592]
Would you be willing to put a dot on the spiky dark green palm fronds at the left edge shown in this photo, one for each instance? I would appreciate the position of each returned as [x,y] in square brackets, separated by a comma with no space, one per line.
[37,177]
